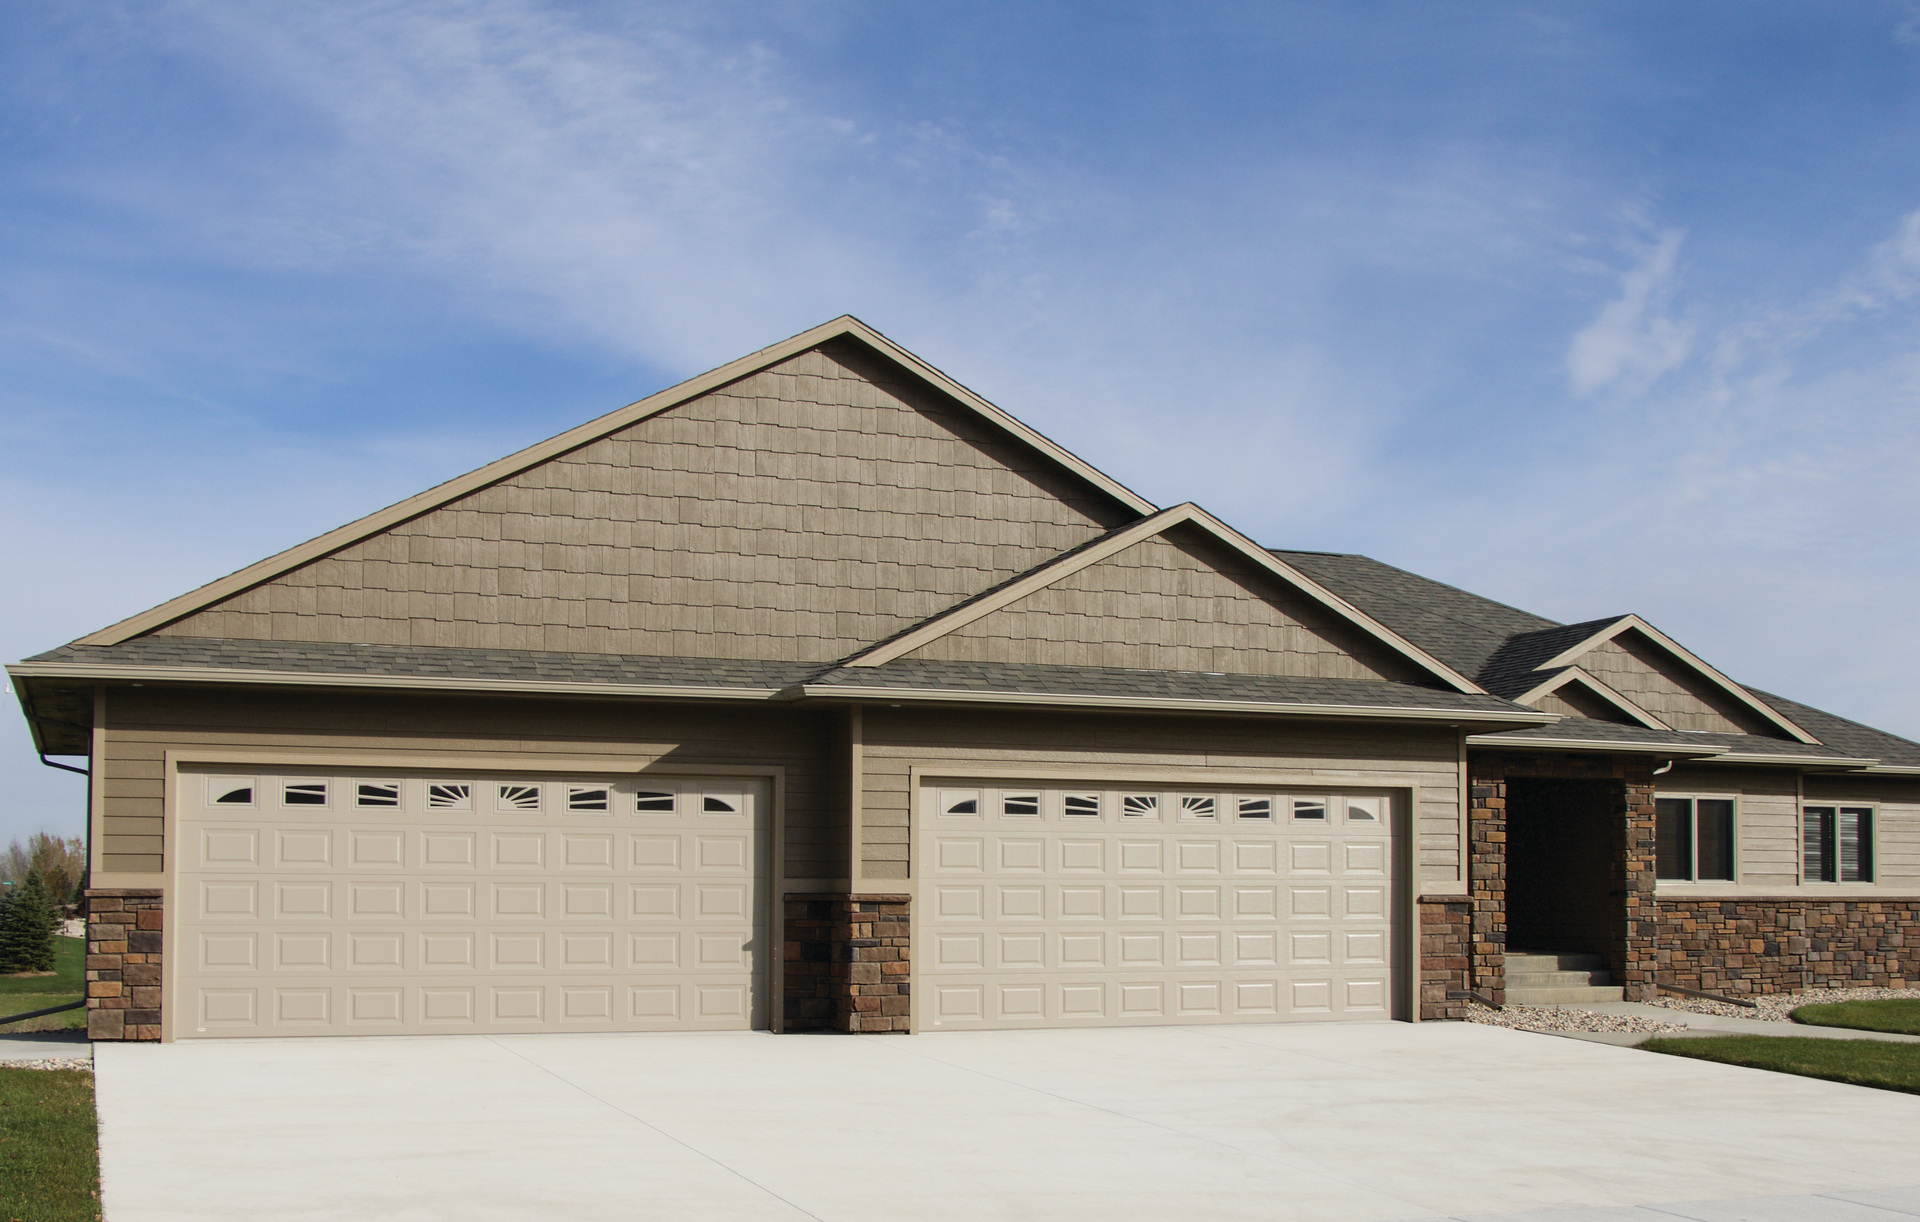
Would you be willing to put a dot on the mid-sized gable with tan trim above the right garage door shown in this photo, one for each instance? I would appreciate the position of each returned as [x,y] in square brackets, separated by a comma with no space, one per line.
[1172,593]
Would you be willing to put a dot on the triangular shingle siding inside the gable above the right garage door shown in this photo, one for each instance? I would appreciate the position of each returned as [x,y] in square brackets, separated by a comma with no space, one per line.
[1174,602]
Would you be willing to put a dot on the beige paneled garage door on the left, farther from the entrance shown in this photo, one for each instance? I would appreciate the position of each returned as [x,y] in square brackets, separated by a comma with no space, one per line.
[385,904]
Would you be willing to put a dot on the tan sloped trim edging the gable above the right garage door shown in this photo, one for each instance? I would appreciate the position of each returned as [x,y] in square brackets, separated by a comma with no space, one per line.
[1126,537]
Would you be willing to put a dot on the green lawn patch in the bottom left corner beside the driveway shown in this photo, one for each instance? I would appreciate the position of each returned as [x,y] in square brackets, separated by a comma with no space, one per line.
[49,1146]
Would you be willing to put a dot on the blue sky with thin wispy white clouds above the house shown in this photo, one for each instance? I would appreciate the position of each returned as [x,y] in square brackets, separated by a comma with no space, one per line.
[1591,308]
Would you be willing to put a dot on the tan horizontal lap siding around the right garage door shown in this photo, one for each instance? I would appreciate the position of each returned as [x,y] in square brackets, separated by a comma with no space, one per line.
[1184,750]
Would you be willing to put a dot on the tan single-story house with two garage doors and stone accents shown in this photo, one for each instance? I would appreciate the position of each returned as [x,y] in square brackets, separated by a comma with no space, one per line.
[819,693]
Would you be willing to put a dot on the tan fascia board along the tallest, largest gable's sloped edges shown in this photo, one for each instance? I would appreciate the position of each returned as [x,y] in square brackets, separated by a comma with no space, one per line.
[588,433]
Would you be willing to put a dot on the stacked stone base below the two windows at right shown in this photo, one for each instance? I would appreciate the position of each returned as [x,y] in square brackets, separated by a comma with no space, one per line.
[1781,946]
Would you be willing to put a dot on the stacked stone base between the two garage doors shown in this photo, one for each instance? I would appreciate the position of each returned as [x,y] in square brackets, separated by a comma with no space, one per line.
[846,964]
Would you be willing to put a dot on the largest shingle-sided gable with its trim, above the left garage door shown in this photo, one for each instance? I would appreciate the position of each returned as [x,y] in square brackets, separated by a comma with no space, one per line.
[798,512]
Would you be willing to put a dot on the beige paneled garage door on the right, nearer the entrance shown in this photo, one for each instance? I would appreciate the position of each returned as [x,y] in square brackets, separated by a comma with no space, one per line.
[1138,906]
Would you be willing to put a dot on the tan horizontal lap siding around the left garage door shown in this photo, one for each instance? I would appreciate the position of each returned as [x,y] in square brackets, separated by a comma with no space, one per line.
[143,725]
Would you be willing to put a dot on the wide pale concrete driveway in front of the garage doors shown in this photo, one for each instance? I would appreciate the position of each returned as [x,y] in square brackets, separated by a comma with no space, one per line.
[1368,1123]
